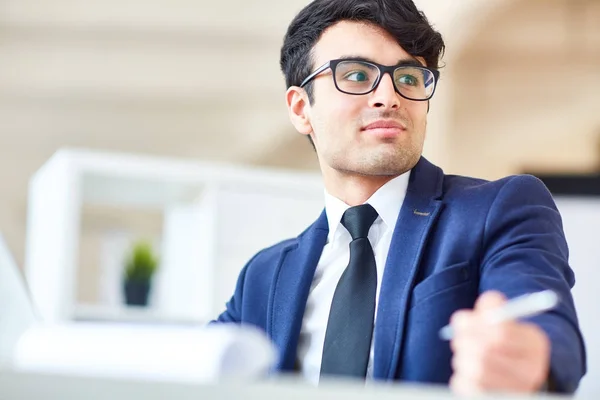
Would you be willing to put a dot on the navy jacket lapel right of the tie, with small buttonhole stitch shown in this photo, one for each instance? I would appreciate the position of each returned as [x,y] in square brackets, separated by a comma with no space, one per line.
[419,211]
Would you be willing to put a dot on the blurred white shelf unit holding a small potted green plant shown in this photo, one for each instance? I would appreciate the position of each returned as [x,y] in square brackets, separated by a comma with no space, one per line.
[215,217]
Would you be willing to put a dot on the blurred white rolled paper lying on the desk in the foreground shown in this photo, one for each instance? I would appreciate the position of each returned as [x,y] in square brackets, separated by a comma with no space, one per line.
[142,352]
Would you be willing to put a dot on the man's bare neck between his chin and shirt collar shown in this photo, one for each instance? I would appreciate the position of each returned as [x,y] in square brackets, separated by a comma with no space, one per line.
[353,189]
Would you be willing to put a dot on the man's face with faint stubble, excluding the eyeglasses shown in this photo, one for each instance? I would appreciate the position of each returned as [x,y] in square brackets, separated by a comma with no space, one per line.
[339,123]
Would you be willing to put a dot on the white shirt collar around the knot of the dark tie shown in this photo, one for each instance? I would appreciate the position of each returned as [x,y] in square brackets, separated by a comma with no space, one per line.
[387,201]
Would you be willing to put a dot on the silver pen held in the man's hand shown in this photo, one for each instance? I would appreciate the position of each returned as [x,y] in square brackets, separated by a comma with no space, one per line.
[523,306]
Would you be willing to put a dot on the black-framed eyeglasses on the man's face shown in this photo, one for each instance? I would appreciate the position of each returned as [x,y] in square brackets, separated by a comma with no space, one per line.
[357,77]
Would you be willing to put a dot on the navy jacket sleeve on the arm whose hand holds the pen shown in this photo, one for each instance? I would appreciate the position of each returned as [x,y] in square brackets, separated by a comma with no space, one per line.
[525,251]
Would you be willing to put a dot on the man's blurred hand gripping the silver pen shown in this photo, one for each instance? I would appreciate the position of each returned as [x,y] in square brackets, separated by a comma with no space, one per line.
[505,357]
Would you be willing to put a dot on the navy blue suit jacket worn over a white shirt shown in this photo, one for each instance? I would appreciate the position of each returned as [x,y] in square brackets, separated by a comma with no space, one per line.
[455,238]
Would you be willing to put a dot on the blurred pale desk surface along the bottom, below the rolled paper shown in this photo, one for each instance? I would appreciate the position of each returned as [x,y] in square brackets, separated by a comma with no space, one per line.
[25,386]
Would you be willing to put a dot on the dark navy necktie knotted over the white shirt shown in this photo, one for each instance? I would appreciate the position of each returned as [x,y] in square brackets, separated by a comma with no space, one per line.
[350,326]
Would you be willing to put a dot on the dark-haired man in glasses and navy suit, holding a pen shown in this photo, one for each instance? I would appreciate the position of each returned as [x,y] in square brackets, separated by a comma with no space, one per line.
[401,247]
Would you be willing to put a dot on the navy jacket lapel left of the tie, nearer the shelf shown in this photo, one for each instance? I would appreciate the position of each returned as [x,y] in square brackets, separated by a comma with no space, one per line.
[291,286]
